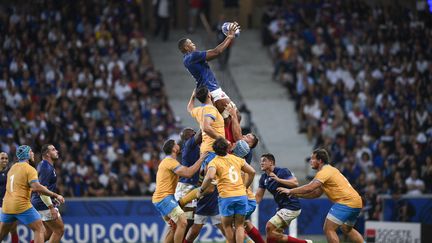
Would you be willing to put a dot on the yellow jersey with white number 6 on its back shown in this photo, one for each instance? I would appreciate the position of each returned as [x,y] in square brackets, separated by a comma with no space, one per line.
[228,175]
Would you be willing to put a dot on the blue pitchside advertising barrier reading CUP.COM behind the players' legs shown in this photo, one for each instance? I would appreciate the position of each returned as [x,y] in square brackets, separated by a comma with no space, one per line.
[135,219]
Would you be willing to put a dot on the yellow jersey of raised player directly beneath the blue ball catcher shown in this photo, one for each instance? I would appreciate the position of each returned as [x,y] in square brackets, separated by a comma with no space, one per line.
[199,113]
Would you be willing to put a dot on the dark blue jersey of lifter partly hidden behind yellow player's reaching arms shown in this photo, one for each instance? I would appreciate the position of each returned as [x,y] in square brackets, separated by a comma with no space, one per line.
[190,154]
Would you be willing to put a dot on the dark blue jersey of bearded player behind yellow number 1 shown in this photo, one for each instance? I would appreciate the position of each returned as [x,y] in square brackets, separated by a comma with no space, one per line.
[48,178]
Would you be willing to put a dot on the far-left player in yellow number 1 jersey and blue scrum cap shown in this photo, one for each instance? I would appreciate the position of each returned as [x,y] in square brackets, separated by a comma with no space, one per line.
[22,179]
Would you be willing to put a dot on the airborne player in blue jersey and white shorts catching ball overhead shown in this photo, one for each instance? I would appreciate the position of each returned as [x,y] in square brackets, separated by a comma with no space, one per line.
[196,63]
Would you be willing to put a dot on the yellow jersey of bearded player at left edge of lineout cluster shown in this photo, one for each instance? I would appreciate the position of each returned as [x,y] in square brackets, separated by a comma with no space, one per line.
[166,179]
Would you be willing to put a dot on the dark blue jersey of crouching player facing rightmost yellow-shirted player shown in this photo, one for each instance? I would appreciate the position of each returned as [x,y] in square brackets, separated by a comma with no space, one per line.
[282,200]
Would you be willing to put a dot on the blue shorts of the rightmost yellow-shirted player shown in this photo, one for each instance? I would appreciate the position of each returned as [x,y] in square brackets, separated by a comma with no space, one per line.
[341,214]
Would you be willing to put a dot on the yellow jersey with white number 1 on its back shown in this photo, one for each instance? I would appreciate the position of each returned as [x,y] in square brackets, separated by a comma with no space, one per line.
[18,191]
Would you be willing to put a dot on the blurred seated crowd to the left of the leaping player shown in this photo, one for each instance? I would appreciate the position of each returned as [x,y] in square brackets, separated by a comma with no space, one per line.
[79,75]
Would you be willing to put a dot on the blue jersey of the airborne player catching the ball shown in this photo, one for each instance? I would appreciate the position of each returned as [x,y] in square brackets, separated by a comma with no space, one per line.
[196,64]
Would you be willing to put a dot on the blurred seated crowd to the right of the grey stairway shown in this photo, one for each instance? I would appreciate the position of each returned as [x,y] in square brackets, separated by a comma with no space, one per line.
[361,78]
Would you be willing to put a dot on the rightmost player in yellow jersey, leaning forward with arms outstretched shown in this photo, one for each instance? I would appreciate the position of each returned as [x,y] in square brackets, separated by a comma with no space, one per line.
[348,203]
